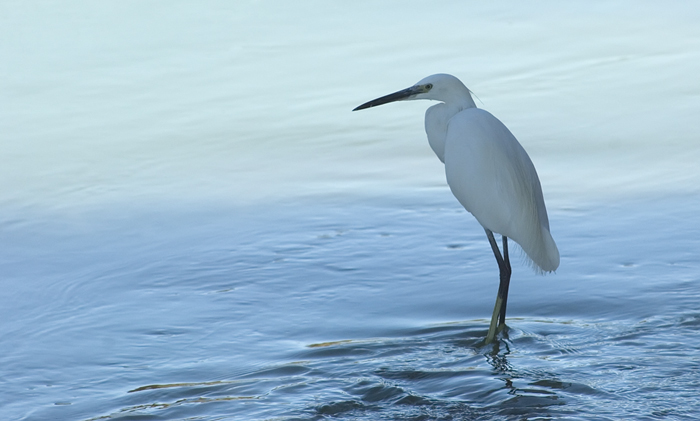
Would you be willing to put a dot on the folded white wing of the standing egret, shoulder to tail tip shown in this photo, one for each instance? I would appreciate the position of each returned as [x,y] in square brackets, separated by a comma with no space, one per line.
[493,178]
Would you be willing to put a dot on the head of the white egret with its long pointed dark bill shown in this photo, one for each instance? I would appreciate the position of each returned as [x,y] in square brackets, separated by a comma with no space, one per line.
[439,87]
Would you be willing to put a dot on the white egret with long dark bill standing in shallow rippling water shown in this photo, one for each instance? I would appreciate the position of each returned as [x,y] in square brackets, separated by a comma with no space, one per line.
[490,174]
